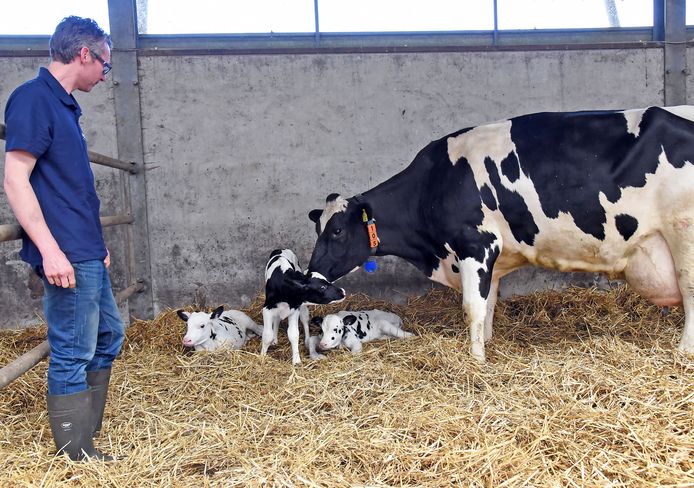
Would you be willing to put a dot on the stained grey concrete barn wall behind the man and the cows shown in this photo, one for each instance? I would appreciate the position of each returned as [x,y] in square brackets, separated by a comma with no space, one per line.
[240,147]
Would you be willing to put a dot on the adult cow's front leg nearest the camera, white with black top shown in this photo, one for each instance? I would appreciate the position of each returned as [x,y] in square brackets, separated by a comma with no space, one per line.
[476,270]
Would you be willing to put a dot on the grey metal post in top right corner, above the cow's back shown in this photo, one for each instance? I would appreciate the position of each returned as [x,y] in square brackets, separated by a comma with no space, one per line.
[675,53]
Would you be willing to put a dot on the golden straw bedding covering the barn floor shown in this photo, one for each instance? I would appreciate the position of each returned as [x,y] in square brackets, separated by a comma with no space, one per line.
[581,388]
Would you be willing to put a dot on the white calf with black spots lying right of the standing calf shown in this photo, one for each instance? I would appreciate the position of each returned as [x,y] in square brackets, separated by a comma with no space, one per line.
[351,329]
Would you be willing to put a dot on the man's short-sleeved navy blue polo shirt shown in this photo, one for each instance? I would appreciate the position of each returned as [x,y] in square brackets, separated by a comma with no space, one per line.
[43,119]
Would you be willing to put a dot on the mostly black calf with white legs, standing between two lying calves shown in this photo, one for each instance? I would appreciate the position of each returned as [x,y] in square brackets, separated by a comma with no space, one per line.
[288,291]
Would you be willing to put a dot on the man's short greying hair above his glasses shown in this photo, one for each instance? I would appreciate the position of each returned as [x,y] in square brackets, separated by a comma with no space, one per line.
[72,34]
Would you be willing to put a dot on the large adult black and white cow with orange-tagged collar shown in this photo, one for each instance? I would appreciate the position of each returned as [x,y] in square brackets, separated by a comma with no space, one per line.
[608,191]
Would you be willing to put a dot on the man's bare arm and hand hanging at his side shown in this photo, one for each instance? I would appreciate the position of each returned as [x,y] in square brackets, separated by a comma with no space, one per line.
[20,194]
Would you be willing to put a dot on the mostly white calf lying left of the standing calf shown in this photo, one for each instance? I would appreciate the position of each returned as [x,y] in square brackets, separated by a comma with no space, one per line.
[218,329]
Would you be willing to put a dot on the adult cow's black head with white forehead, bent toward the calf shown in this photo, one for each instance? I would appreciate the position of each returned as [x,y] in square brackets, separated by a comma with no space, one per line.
[343,241]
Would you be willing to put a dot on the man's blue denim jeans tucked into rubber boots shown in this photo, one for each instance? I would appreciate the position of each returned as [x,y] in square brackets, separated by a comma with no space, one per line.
[85,330]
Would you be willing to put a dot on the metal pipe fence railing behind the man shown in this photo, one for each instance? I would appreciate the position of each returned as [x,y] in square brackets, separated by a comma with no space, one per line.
[9,232]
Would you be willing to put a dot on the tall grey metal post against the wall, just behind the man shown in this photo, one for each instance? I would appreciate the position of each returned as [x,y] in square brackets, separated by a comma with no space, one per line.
[123,22]
